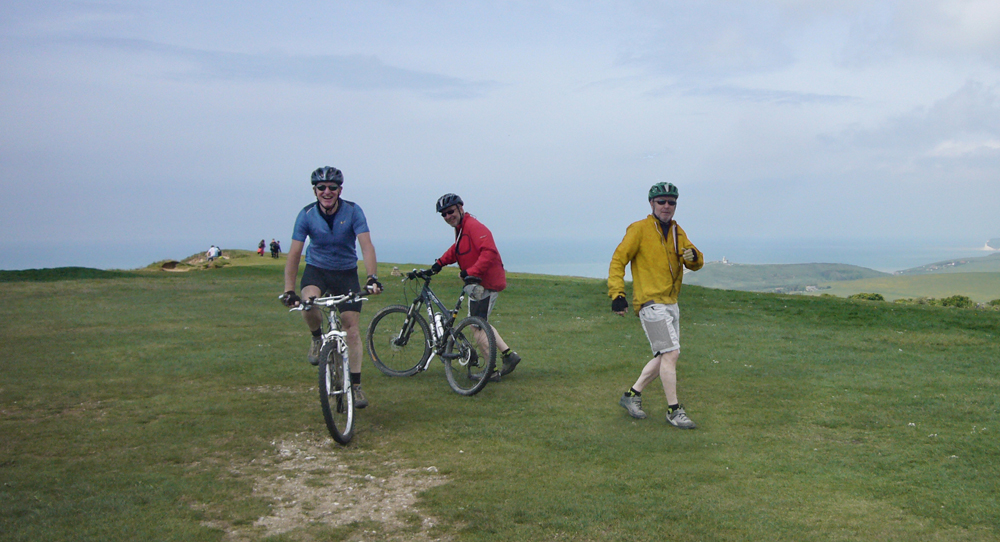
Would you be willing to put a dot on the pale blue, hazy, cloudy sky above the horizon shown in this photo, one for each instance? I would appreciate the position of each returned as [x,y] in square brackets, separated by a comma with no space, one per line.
[156,122]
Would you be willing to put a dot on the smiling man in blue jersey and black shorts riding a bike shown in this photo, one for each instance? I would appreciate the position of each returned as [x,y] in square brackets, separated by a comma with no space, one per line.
[332,225]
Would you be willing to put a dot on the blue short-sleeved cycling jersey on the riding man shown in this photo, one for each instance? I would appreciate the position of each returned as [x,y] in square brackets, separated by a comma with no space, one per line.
[331,242]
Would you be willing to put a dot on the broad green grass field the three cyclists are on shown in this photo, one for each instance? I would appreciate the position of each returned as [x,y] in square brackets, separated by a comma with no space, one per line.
[146,407]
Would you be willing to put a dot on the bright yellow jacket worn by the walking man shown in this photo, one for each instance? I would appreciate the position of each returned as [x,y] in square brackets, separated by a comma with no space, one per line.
[656,262]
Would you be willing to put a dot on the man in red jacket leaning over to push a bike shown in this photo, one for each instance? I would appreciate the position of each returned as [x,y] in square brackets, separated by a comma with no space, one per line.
[478,258]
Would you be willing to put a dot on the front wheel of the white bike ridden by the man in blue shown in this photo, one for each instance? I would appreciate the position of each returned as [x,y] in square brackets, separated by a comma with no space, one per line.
[335,397]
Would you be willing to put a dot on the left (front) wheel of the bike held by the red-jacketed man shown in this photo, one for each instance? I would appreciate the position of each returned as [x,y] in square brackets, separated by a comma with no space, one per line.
[393,348]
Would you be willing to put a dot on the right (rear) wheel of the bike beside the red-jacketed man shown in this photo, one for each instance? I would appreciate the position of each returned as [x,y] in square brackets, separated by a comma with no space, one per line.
[467,373]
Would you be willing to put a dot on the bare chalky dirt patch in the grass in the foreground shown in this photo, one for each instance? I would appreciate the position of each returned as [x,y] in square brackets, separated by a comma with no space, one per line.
[313,482]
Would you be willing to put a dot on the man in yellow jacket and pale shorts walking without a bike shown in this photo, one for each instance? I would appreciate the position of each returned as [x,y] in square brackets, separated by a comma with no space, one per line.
[657,248]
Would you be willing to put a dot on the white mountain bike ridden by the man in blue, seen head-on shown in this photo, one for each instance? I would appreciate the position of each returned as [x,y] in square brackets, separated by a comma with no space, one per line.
[335,397]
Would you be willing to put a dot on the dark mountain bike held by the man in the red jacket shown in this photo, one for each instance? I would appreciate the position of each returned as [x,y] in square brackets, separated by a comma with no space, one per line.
[402,343]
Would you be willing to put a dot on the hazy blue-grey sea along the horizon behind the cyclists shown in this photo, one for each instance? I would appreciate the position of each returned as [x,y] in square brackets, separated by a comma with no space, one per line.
[566,257]
